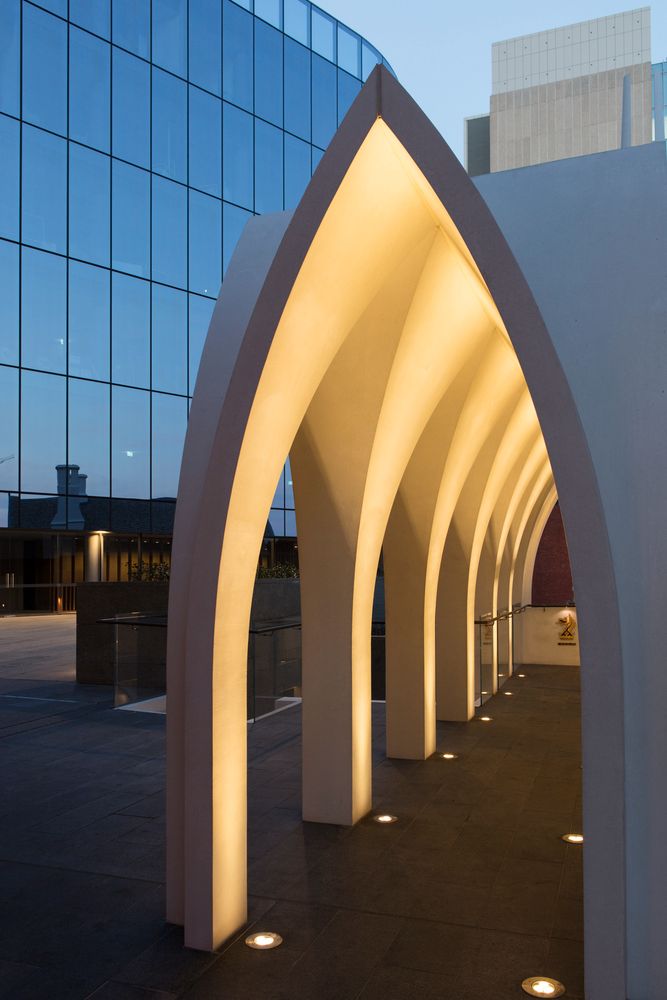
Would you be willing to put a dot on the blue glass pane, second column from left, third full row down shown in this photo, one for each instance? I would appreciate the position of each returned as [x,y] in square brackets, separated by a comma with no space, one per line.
[43,312]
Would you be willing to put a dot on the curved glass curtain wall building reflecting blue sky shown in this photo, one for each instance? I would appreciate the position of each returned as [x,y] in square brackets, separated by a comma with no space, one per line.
[137,139]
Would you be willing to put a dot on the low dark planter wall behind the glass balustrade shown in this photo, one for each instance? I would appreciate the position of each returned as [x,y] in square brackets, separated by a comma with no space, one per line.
[95,649]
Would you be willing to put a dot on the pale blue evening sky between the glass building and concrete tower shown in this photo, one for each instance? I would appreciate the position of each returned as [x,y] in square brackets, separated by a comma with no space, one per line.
[441,51]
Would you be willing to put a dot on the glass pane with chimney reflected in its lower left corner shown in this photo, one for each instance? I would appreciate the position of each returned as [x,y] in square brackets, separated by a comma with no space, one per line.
[89,436]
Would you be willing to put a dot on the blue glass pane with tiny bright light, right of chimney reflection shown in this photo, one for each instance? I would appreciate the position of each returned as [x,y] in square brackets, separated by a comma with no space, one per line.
[130,442]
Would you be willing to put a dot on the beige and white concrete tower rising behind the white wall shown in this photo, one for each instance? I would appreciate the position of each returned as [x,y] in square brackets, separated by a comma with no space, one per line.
[583,88]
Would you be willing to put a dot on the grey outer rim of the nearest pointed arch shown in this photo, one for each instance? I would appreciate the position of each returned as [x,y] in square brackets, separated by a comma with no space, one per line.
[257,308]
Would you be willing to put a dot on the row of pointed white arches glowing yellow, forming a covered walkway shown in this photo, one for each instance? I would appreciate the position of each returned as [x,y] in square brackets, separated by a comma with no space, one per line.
[386,337]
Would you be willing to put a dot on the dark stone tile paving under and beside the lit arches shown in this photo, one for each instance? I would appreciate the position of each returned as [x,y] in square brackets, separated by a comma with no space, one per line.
[467,894]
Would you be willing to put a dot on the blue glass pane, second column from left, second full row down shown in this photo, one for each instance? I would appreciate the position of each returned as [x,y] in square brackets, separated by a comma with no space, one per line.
[44,200]
